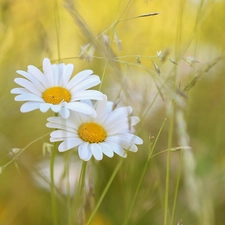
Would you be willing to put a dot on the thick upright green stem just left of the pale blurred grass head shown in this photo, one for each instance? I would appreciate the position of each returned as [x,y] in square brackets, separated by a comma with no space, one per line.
[166,209]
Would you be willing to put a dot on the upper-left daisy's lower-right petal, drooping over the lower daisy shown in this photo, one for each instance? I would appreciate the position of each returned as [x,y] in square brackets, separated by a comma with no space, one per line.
[81,107]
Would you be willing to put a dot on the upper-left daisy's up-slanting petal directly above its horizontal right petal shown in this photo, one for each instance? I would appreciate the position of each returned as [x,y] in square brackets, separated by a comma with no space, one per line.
[91,81]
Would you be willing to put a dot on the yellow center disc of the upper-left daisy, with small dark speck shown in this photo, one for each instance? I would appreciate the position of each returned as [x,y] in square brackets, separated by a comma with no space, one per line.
[55,95]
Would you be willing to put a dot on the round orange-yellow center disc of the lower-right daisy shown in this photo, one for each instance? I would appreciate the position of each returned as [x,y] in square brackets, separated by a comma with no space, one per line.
[92,132]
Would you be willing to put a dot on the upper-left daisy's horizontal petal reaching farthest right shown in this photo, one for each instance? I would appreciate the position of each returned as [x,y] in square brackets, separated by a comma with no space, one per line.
[89,94]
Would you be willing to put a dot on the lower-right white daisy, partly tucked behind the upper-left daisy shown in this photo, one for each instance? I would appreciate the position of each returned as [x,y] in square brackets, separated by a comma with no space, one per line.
[110,132]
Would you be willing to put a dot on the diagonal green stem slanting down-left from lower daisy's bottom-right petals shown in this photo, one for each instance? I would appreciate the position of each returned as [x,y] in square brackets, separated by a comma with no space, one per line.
[105,191]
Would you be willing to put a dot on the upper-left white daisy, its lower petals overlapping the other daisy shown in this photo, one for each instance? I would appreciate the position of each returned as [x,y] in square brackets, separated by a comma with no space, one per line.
[54,89]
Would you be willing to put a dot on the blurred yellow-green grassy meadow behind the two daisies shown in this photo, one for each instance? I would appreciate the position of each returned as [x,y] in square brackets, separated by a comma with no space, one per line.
[184,84]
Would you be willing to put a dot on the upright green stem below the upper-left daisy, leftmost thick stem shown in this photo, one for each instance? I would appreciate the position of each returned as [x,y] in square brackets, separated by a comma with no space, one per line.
[53,196]
